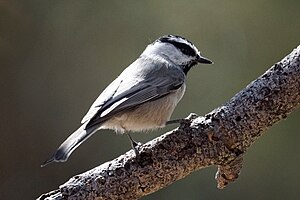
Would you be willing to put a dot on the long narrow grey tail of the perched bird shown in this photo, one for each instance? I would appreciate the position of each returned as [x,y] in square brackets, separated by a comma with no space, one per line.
[70,144]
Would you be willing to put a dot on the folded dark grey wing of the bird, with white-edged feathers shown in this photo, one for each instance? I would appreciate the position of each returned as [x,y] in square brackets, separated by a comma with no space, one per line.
[147,90]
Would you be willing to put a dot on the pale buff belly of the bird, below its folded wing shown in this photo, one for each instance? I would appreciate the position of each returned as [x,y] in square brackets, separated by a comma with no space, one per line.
[150,115]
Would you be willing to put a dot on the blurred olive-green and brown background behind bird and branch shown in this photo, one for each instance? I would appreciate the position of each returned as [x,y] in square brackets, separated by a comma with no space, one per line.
[57,56]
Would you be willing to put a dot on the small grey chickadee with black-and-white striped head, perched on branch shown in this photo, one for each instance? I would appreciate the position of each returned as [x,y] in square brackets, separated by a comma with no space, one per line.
[142,97]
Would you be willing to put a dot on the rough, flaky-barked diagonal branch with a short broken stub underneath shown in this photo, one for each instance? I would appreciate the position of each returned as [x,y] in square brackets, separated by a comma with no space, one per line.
[219,138]
